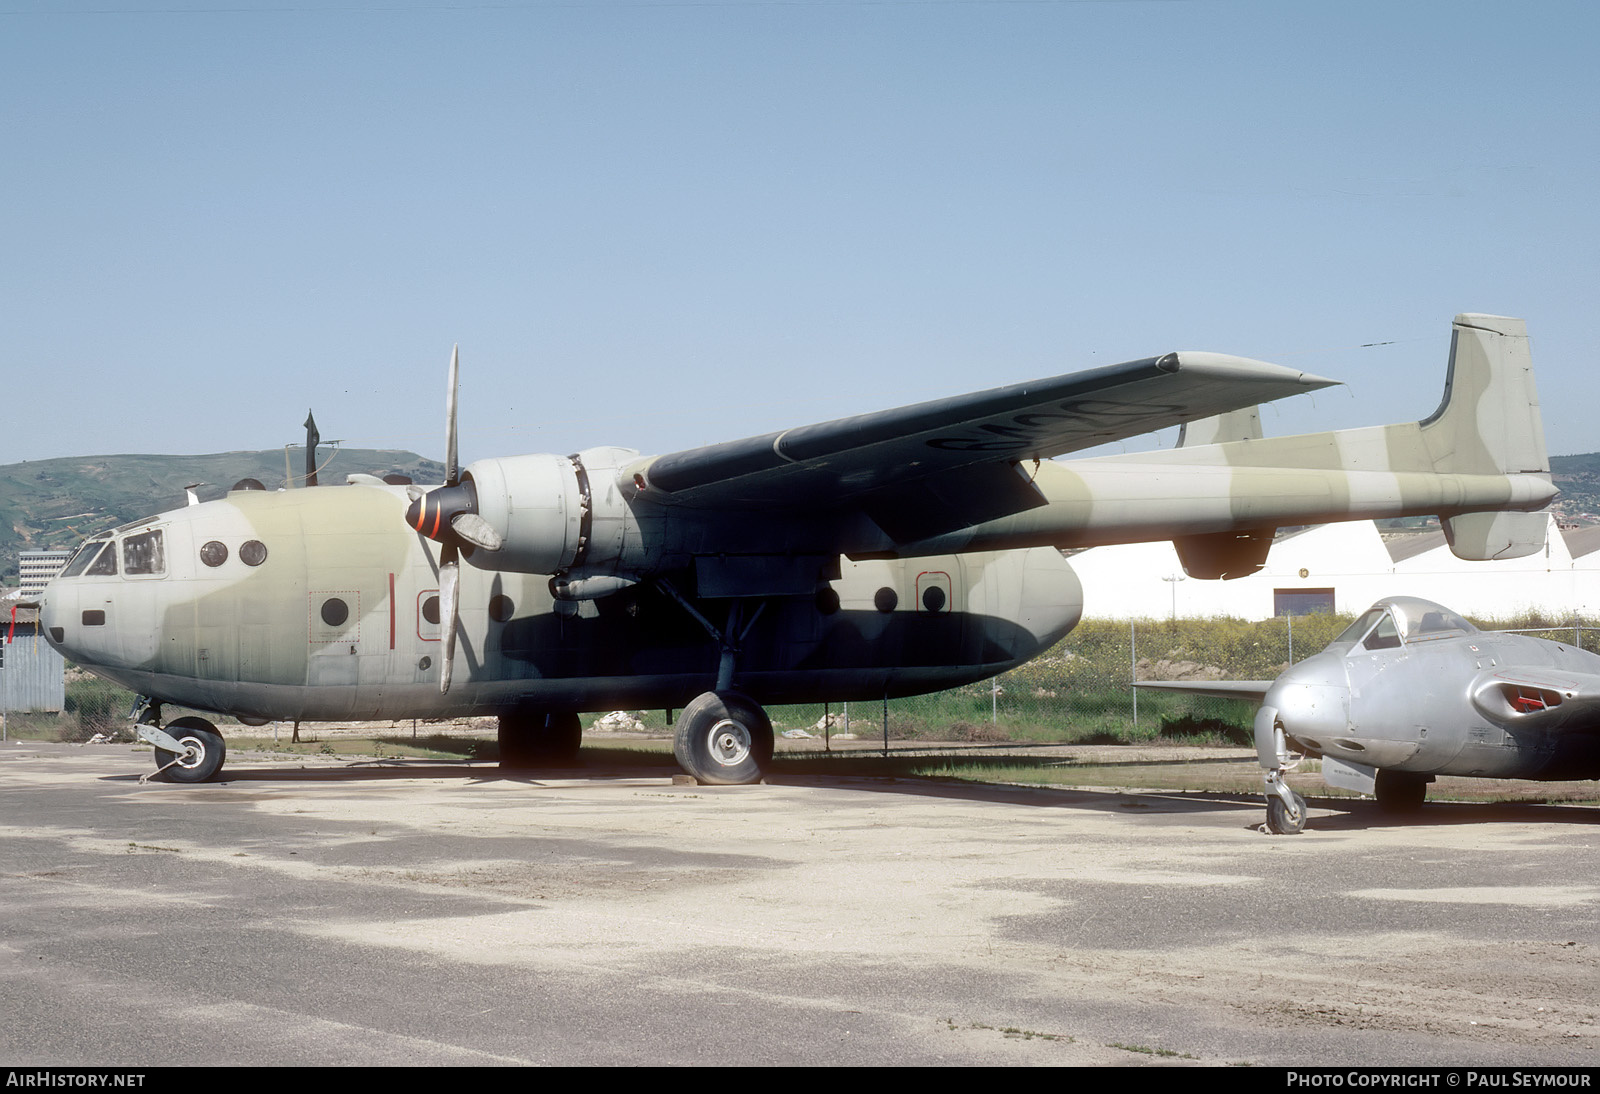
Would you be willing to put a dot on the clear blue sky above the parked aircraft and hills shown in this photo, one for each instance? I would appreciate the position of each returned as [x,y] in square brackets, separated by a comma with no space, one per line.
[666,225]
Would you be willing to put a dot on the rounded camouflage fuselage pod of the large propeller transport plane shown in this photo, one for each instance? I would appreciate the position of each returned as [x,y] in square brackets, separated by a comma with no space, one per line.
[319,604]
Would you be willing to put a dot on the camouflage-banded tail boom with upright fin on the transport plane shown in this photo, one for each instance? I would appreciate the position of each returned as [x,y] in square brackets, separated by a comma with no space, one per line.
[1478,463]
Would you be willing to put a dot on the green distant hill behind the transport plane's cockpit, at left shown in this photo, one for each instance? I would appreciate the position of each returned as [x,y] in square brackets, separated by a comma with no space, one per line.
[58,503]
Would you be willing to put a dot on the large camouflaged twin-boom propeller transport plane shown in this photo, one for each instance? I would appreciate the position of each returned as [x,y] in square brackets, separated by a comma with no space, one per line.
[887,554]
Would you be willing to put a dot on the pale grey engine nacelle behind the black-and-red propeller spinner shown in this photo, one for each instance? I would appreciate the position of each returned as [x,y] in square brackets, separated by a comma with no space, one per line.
[554,514]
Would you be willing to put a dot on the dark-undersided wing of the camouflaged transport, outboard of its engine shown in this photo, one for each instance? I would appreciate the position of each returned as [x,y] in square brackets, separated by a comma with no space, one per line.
[969,452]
